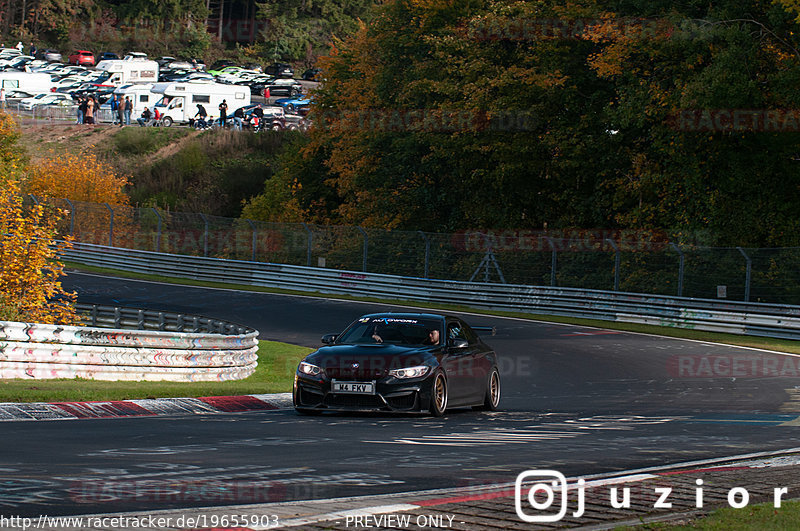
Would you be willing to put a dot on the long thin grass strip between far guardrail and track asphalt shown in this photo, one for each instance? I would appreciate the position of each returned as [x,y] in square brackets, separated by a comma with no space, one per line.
[780,345]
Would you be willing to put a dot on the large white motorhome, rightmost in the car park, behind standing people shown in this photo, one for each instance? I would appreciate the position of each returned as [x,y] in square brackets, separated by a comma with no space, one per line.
[180,100]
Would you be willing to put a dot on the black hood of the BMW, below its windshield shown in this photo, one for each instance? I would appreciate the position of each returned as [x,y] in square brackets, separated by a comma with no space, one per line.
[343,361]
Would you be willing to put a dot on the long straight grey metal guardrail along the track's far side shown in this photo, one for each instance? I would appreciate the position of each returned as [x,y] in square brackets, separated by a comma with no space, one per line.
[769,320]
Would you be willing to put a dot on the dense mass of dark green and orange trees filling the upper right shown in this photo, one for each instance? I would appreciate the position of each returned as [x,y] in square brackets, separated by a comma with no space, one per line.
[562,115]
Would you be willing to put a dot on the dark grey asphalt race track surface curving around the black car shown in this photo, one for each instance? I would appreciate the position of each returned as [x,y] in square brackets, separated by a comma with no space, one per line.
[575,399]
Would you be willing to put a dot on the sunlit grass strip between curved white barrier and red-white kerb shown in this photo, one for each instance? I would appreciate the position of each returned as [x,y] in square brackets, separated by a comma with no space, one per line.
[274,374]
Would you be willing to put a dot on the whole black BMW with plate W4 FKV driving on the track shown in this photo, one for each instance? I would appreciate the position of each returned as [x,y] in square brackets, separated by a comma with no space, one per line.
[400,362]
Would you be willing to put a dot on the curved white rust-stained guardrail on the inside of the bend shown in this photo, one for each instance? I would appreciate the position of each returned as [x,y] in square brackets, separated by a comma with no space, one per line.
[129,344]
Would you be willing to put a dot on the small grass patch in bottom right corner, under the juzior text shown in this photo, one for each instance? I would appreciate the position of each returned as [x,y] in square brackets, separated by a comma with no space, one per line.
[762,516]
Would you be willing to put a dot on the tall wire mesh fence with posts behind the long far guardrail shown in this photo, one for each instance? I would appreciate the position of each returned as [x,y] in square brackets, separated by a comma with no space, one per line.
[593,262]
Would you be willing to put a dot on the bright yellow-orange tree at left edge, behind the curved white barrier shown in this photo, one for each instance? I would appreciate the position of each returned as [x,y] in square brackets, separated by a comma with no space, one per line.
[30,289]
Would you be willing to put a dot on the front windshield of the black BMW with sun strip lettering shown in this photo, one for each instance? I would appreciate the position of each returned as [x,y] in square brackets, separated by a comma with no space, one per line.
[392,330]
